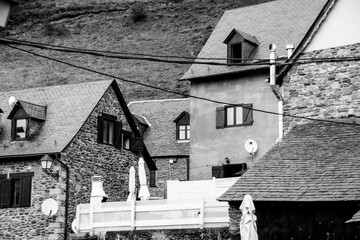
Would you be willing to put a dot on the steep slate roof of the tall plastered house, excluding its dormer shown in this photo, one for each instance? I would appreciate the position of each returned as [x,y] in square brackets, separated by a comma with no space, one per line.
[280,22]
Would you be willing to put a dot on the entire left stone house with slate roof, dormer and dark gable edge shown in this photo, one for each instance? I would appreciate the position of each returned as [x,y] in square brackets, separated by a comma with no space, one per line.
[80,128]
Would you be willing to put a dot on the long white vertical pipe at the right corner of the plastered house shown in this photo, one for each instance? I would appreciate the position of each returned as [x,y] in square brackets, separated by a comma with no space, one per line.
[275,90]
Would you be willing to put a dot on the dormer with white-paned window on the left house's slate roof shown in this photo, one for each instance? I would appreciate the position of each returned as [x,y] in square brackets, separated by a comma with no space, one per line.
[26,118]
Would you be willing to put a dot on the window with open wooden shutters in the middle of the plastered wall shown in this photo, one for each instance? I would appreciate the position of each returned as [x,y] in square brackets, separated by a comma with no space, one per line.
[233,116]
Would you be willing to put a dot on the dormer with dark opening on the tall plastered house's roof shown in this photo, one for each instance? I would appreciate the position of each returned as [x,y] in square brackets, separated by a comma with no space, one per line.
[240,46]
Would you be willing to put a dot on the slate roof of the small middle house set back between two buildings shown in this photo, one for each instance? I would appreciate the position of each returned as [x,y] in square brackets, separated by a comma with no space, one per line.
[160,136]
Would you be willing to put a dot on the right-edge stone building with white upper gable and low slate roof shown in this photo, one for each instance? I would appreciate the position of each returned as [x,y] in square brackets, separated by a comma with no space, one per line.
[309,181]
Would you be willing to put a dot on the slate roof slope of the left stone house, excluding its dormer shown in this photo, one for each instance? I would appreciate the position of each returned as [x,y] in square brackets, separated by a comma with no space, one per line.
[68,106]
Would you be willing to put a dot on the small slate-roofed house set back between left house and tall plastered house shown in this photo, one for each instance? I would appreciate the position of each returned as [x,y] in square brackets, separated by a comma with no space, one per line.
[166,132]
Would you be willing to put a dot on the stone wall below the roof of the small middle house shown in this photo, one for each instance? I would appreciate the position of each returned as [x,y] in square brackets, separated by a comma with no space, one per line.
[178,170]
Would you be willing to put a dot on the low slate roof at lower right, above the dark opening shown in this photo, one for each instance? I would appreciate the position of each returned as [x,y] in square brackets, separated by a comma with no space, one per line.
[314,162]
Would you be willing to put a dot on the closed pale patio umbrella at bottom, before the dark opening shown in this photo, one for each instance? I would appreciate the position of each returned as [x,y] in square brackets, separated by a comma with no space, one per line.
[248,219]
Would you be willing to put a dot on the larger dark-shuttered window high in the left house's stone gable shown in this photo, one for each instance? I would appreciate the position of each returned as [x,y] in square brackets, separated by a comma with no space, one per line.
[109,130]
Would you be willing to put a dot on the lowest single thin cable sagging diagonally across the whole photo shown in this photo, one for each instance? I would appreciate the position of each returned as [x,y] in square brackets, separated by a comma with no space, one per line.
[177,93]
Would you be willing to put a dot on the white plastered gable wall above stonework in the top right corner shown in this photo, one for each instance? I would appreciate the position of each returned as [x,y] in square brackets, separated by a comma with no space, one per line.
[341,26]
